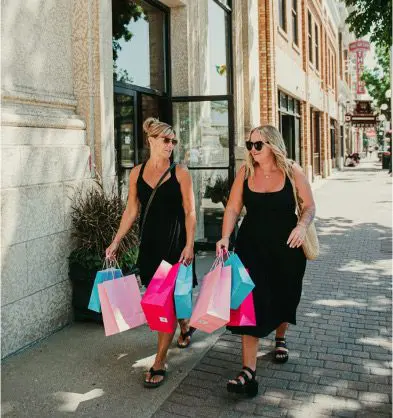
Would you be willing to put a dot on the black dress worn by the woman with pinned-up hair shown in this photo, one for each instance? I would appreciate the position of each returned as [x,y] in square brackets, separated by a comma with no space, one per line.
[164,235]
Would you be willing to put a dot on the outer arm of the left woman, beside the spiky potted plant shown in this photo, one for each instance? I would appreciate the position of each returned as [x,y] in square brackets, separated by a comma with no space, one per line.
[129,215]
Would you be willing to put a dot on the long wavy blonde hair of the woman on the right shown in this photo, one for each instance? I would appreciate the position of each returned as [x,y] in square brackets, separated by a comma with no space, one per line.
[276,143]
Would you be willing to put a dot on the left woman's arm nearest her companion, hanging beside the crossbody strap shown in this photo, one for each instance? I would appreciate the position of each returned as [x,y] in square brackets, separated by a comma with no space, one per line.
[187,192]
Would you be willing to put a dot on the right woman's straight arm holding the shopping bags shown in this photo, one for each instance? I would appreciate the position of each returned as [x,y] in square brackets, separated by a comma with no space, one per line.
[232,210]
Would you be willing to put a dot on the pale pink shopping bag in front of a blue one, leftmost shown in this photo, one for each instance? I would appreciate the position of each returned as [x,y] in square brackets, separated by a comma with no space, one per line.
[121,304]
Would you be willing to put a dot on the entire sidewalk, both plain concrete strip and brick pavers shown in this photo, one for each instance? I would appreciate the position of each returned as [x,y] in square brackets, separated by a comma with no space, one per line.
[339,351]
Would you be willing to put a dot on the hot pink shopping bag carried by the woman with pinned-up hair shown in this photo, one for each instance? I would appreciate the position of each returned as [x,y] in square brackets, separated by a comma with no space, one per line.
[157,302]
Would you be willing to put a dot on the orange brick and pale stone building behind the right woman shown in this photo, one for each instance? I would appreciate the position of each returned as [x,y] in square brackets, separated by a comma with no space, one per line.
[304,86]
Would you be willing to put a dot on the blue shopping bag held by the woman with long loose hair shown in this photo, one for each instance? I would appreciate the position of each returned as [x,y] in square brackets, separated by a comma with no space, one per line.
[242,283]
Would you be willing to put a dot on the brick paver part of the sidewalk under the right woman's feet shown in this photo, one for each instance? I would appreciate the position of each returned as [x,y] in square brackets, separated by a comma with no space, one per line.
[340,351]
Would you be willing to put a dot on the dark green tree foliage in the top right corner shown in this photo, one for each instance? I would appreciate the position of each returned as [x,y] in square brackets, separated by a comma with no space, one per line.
[373,17]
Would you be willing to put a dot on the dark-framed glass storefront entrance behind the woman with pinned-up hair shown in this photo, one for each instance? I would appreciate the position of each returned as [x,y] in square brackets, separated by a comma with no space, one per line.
[203,121]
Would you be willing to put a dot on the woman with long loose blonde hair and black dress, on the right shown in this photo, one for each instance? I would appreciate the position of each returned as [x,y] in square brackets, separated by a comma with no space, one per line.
[268,243]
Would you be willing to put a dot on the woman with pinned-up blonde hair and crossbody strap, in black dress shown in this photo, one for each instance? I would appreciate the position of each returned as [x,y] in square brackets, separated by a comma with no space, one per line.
[169,228]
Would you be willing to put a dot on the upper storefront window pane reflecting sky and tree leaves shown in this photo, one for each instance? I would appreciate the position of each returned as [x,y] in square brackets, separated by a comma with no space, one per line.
[138,44]
